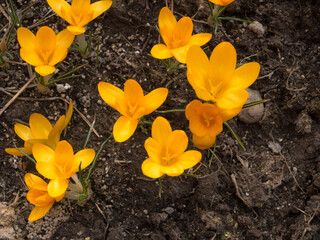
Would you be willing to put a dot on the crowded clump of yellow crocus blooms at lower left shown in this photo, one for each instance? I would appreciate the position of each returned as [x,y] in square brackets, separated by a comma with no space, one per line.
[55,160]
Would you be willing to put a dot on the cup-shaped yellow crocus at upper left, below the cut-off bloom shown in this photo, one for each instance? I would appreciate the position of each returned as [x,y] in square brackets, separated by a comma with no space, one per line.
[45,49]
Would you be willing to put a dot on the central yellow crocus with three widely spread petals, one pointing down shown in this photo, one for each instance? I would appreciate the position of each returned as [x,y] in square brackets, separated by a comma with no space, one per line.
[132,104]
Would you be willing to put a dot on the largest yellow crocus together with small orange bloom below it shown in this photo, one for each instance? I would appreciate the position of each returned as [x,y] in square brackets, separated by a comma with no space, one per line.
[219,81]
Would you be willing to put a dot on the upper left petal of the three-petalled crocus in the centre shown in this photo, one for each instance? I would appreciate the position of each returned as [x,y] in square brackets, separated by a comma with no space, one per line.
[110,93]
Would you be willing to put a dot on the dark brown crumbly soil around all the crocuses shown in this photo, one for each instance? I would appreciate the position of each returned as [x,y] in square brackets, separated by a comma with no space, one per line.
[269,191]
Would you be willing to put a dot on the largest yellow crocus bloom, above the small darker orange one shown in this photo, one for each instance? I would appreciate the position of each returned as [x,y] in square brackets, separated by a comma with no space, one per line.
[218,80]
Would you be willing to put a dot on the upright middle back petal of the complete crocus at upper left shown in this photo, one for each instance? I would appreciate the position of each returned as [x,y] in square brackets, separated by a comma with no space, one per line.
[45,39]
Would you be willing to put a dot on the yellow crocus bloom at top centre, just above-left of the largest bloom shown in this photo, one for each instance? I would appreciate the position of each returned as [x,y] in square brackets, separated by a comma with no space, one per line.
[177,37]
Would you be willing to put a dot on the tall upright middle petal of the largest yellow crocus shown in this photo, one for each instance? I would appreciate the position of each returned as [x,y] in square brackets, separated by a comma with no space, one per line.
[222,63]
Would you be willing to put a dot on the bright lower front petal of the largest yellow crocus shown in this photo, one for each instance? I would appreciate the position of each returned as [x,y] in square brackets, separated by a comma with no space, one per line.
[232,98]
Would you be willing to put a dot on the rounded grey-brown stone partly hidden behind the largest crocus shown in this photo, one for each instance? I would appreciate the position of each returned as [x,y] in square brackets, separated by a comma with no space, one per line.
[252,114]
